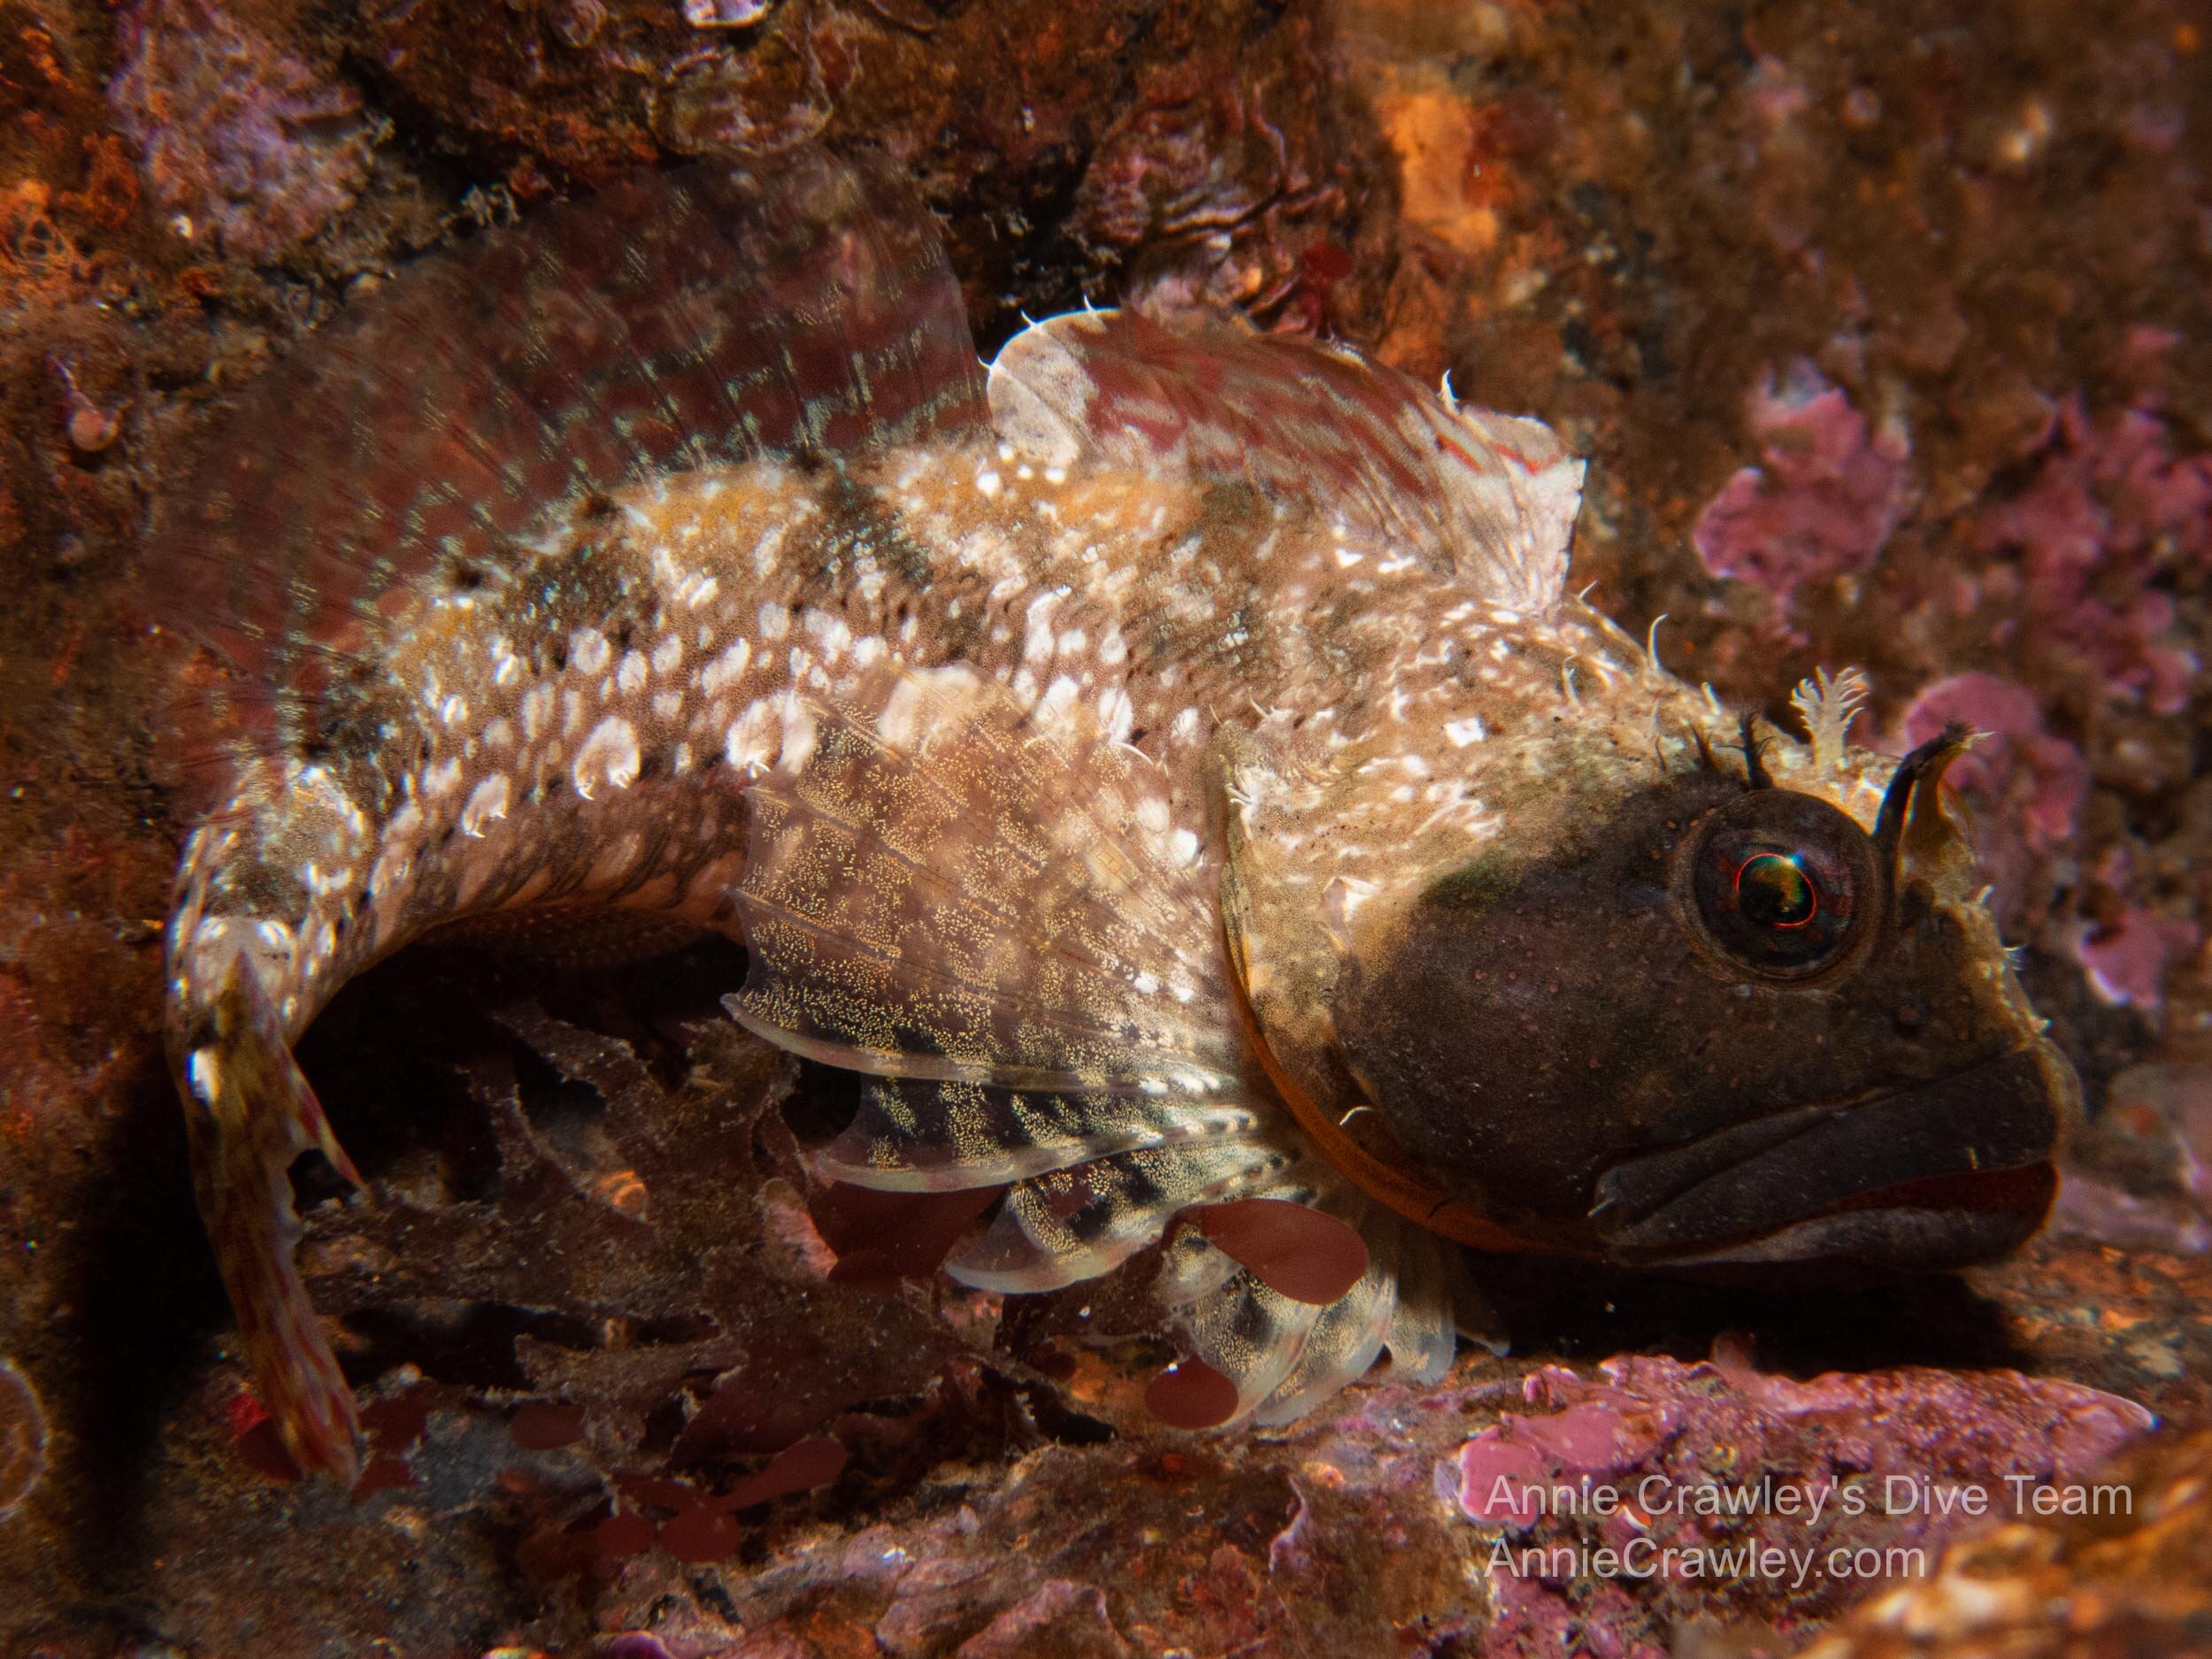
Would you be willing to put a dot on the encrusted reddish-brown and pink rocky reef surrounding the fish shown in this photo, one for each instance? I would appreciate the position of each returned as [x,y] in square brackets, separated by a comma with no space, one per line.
[1888,337]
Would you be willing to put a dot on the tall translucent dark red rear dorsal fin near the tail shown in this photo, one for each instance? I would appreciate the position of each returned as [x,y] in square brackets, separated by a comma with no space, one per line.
[667,322]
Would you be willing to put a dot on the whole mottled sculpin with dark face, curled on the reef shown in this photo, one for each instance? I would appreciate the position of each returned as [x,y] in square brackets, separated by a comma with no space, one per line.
[1167,764]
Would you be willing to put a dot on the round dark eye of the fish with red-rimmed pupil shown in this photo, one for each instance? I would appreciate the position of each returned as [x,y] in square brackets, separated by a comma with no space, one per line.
[1780,884]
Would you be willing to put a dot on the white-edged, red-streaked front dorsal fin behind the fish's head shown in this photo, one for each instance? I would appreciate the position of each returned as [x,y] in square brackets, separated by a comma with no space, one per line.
[1481,494]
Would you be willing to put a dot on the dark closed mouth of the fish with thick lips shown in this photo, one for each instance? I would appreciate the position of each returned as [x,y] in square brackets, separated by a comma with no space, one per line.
[1912,1180]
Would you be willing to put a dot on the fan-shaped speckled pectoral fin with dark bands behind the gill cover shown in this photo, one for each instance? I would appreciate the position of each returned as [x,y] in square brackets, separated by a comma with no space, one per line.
[959,897]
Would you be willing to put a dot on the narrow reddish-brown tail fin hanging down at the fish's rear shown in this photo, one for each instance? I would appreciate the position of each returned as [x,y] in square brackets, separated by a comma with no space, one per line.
[251,1114]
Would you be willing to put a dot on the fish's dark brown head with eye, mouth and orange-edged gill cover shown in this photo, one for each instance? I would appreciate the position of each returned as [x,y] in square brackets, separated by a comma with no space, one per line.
[1671,1016]
